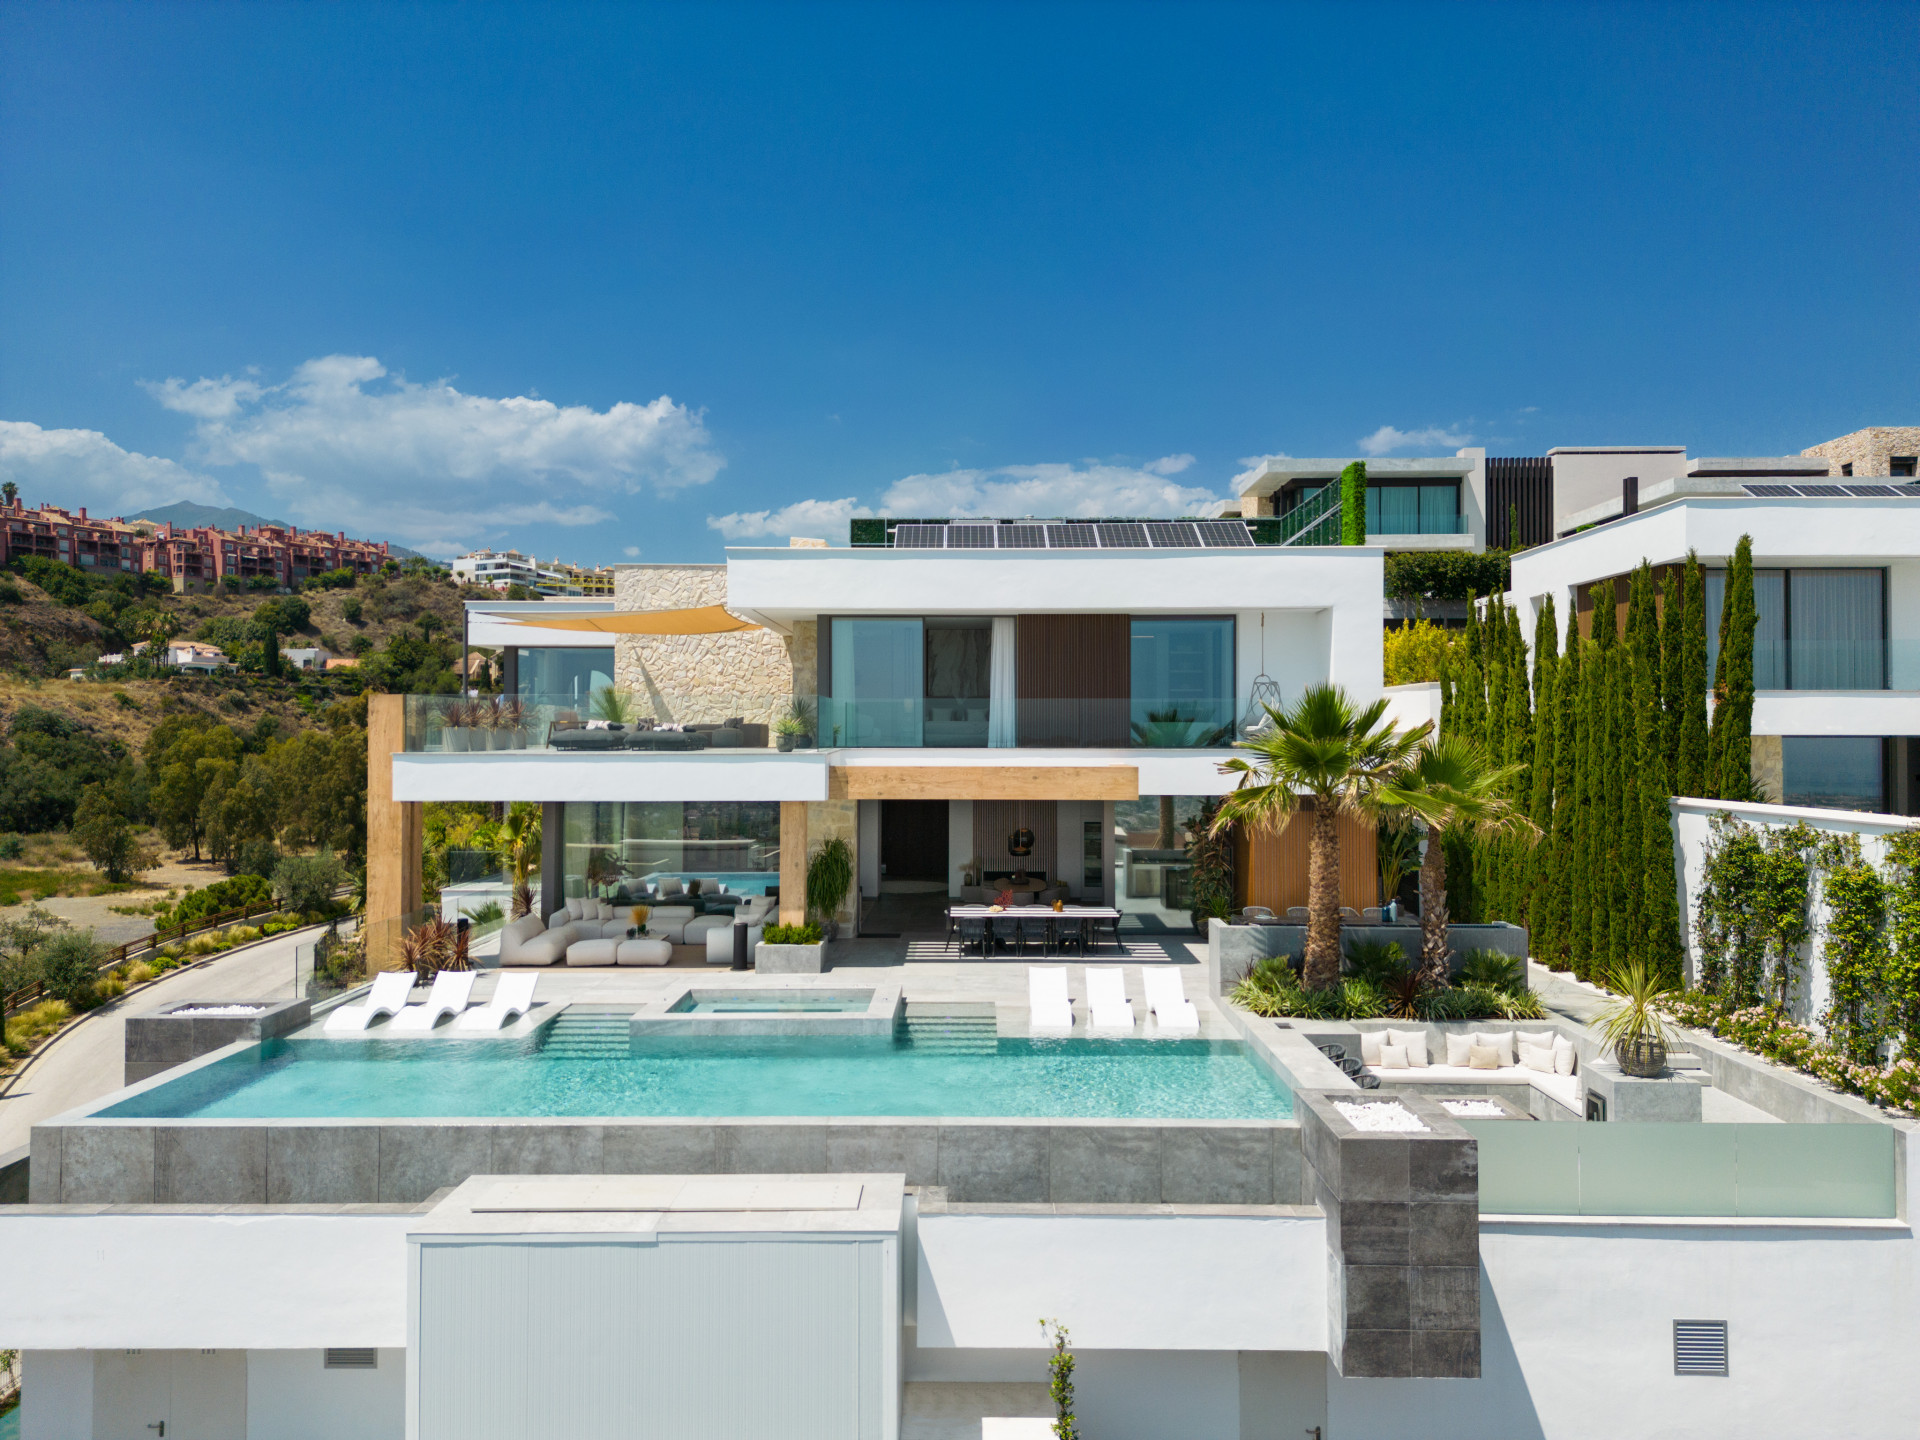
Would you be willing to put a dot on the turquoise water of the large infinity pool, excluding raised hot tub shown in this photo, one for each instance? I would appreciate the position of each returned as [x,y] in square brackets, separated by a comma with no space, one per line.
[1122,1080]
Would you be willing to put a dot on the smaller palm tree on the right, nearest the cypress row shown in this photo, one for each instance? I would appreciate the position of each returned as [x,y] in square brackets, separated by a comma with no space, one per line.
[1451,786]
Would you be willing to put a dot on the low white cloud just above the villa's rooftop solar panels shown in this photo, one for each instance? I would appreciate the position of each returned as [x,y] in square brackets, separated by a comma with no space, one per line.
[1009,491]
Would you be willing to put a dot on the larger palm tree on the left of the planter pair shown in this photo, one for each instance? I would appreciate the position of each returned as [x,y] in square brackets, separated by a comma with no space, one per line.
[1339,754]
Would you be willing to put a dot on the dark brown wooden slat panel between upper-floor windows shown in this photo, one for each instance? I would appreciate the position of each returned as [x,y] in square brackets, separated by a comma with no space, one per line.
[1072,679]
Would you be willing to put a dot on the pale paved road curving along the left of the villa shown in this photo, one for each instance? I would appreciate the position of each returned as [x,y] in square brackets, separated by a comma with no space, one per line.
[89,1061]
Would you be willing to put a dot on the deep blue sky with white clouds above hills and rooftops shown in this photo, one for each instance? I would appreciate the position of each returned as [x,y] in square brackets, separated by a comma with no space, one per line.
[631,281]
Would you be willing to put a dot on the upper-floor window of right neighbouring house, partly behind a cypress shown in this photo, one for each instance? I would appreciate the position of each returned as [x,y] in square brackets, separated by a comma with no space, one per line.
[1817,629]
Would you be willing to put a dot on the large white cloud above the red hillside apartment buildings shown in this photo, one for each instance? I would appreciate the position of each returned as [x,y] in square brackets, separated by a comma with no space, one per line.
[347,444]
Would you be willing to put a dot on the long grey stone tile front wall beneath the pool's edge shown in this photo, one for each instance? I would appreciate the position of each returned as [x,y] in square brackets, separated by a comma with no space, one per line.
[404,1161]
